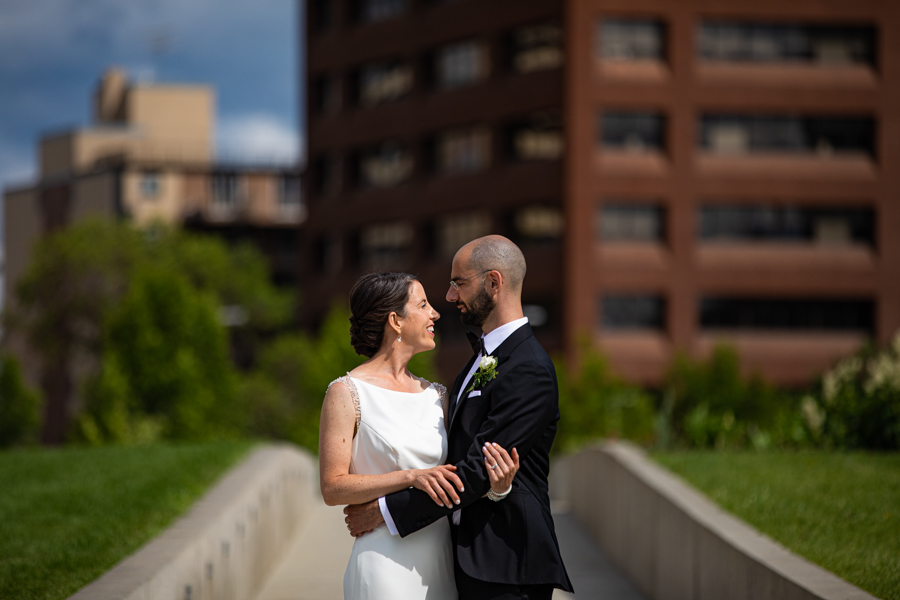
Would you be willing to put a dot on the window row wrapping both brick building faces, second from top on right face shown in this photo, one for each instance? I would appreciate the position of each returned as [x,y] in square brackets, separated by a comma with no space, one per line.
[540,137]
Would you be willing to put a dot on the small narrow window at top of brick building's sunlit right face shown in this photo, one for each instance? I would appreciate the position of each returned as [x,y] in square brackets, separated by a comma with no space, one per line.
[630,39]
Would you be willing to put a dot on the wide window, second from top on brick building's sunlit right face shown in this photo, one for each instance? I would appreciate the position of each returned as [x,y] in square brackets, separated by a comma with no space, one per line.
[737,134]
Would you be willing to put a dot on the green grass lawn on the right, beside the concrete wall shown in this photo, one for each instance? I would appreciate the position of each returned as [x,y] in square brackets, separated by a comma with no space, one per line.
[839,510]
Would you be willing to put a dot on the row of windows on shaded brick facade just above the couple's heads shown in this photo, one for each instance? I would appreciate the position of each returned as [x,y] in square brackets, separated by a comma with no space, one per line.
[387,246]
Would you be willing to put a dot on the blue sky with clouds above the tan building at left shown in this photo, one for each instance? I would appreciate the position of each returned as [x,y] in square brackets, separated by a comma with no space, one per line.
[52,53]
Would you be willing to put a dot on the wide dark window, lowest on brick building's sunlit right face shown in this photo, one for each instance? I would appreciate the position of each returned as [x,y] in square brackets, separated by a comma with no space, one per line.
[813,314]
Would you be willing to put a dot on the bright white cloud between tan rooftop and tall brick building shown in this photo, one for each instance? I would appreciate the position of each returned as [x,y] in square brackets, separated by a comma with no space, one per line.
[257,138]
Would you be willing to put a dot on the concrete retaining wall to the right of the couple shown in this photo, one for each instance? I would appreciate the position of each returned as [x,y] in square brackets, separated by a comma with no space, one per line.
[673,543]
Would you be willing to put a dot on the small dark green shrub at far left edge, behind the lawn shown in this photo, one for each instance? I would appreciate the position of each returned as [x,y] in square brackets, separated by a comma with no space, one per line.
[19,406]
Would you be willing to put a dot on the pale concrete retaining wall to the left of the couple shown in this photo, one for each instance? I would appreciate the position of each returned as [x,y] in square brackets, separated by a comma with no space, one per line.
[226,546]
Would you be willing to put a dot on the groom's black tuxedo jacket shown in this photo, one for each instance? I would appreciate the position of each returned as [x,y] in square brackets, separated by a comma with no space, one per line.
[512,541]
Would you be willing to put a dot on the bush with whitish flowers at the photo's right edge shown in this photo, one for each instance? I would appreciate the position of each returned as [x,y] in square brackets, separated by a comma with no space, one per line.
[858,404]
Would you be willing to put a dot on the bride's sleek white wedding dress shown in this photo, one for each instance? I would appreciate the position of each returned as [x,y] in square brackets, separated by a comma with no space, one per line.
[399,431]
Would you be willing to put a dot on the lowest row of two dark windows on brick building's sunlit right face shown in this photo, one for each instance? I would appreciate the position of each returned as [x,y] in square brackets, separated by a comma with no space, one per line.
[648,312]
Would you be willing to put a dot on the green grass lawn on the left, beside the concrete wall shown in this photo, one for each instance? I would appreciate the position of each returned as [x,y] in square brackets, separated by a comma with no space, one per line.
[68,515]
